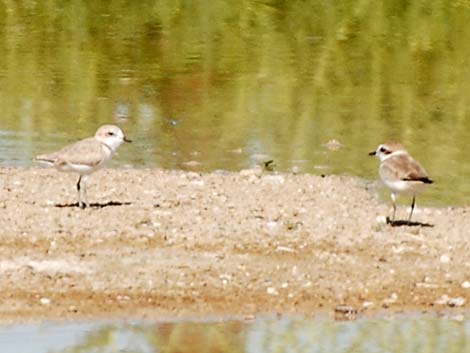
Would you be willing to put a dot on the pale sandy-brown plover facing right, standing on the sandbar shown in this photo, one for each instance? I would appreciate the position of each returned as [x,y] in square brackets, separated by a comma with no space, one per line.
[86,156]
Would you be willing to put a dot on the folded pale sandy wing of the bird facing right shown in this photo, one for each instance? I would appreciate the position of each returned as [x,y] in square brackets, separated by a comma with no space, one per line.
[85,152]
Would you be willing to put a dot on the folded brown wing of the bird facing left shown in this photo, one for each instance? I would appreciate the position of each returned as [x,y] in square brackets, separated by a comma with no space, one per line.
[403,167]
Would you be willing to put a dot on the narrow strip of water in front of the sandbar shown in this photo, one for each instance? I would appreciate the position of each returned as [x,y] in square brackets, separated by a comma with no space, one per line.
[399,335]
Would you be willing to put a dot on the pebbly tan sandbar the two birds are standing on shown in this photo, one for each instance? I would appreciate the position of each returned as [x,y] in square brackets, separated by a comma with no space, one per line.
[160,243]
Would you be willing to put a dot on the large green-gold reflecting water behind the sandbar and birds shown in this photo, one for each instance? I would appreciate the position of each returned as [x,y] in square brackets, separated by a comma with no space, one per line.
[207,84]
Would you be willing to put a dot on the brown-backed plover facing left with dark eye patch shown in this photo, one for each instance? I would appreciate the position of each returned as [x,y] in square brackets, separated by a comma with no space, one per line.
[400,172]
